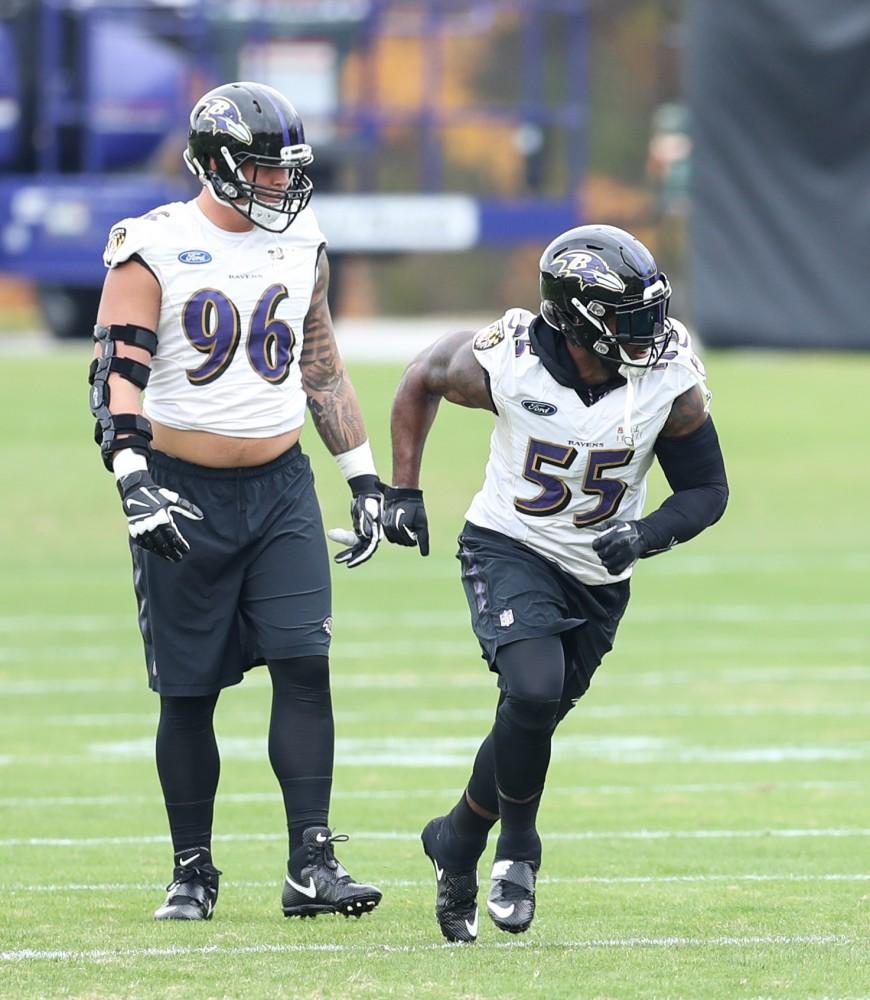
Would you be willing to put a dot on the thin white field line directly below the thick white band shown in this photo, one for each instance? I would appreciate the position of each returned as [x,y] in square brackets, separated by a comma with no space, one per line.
[427,793]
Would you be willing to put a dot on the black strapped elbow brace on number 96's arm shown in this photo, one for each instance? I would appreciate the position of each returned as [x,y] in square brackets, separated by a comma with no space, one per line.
[116,431]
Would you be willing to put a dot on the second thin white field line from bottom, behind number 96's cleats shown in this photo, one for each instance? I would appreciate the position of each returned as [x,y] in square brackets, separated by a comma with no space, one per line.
[415,883]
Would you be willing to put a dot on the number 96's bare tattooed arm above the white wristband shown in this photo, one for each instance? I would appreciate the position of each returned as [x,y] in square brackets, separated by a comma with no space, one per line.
[332,399]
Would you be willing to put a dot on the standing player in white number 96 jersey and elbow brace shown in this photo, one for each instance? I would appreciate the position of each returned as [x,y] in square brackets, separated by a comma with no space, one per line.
[219,306]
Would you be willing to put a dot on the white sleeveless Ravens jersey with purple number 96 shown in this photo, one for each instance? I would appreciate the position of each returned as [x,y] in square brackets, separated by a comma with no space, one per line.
[231,314]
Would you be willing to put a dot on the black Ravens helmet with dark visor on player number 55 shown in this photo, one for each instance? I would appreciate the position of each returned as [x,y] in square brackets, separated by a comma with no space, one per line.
[602,289]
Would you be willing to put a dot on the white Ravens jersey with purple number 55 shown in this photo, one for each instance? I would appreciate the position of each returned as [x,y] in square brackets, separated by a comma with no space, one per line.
[556,466]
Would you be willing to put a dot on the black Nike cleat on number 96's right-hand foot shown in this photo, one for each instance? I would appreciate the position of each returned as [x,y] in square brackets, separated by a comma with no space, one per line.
[324,885]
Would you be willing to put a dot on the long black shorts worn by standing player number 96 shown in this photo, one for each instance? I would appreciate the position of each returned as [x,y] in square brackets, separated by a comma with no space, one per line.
[254,586]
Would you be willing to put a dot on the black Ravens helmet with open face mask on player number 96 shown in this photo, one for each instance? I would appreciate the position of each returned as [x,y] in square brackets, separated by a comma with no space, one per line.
[239,122]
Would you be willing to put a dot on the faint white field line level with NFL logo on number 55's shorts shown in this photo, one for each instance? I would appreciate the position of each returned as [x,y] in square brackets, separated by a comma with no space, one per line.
[649,612]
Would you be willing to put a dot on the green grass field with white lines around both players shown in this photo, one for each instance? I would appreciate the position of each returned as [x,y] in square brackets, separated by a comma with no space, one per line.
[707,820]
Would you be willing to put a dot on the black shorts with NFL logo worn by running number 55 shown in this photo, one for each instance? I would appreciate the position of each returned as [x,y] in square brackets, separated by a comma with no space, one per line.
[514,593]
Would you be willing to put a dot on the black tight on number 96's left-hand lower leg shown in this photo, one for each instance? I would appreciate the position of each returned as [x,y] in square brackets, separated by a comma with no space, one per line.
[188,765]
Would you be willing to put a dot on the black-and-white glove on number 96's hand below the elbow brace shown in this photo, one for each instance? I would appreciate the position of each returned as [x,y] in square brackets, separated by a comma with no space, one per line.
[150,511]
